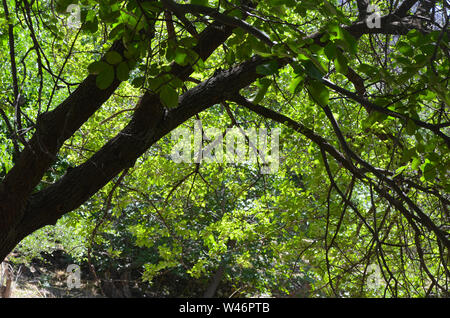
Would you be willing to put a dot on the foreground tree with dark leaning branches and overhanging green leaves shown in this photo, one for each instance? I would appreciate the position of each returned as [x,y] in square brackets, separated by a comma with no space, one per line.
[371,98]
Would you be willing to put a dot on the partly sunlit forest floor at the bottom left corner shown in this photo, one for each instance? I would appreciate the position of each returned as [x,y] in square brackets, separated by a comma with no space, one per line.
[47,277]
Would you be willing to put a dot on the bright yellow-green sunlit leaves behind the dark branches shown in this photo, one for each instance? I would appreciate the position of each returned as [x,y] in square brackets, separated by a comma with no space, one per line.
[276,220]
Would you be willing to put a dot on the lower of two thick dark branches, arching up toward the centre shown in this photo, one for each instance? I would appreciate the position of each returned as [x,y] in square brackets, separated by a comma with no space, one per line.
[149,124]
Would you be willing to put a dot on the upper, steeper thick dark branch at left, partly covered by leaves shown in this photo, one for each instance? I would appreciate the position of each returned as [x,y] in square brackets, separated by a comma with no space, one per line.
[54,127]
